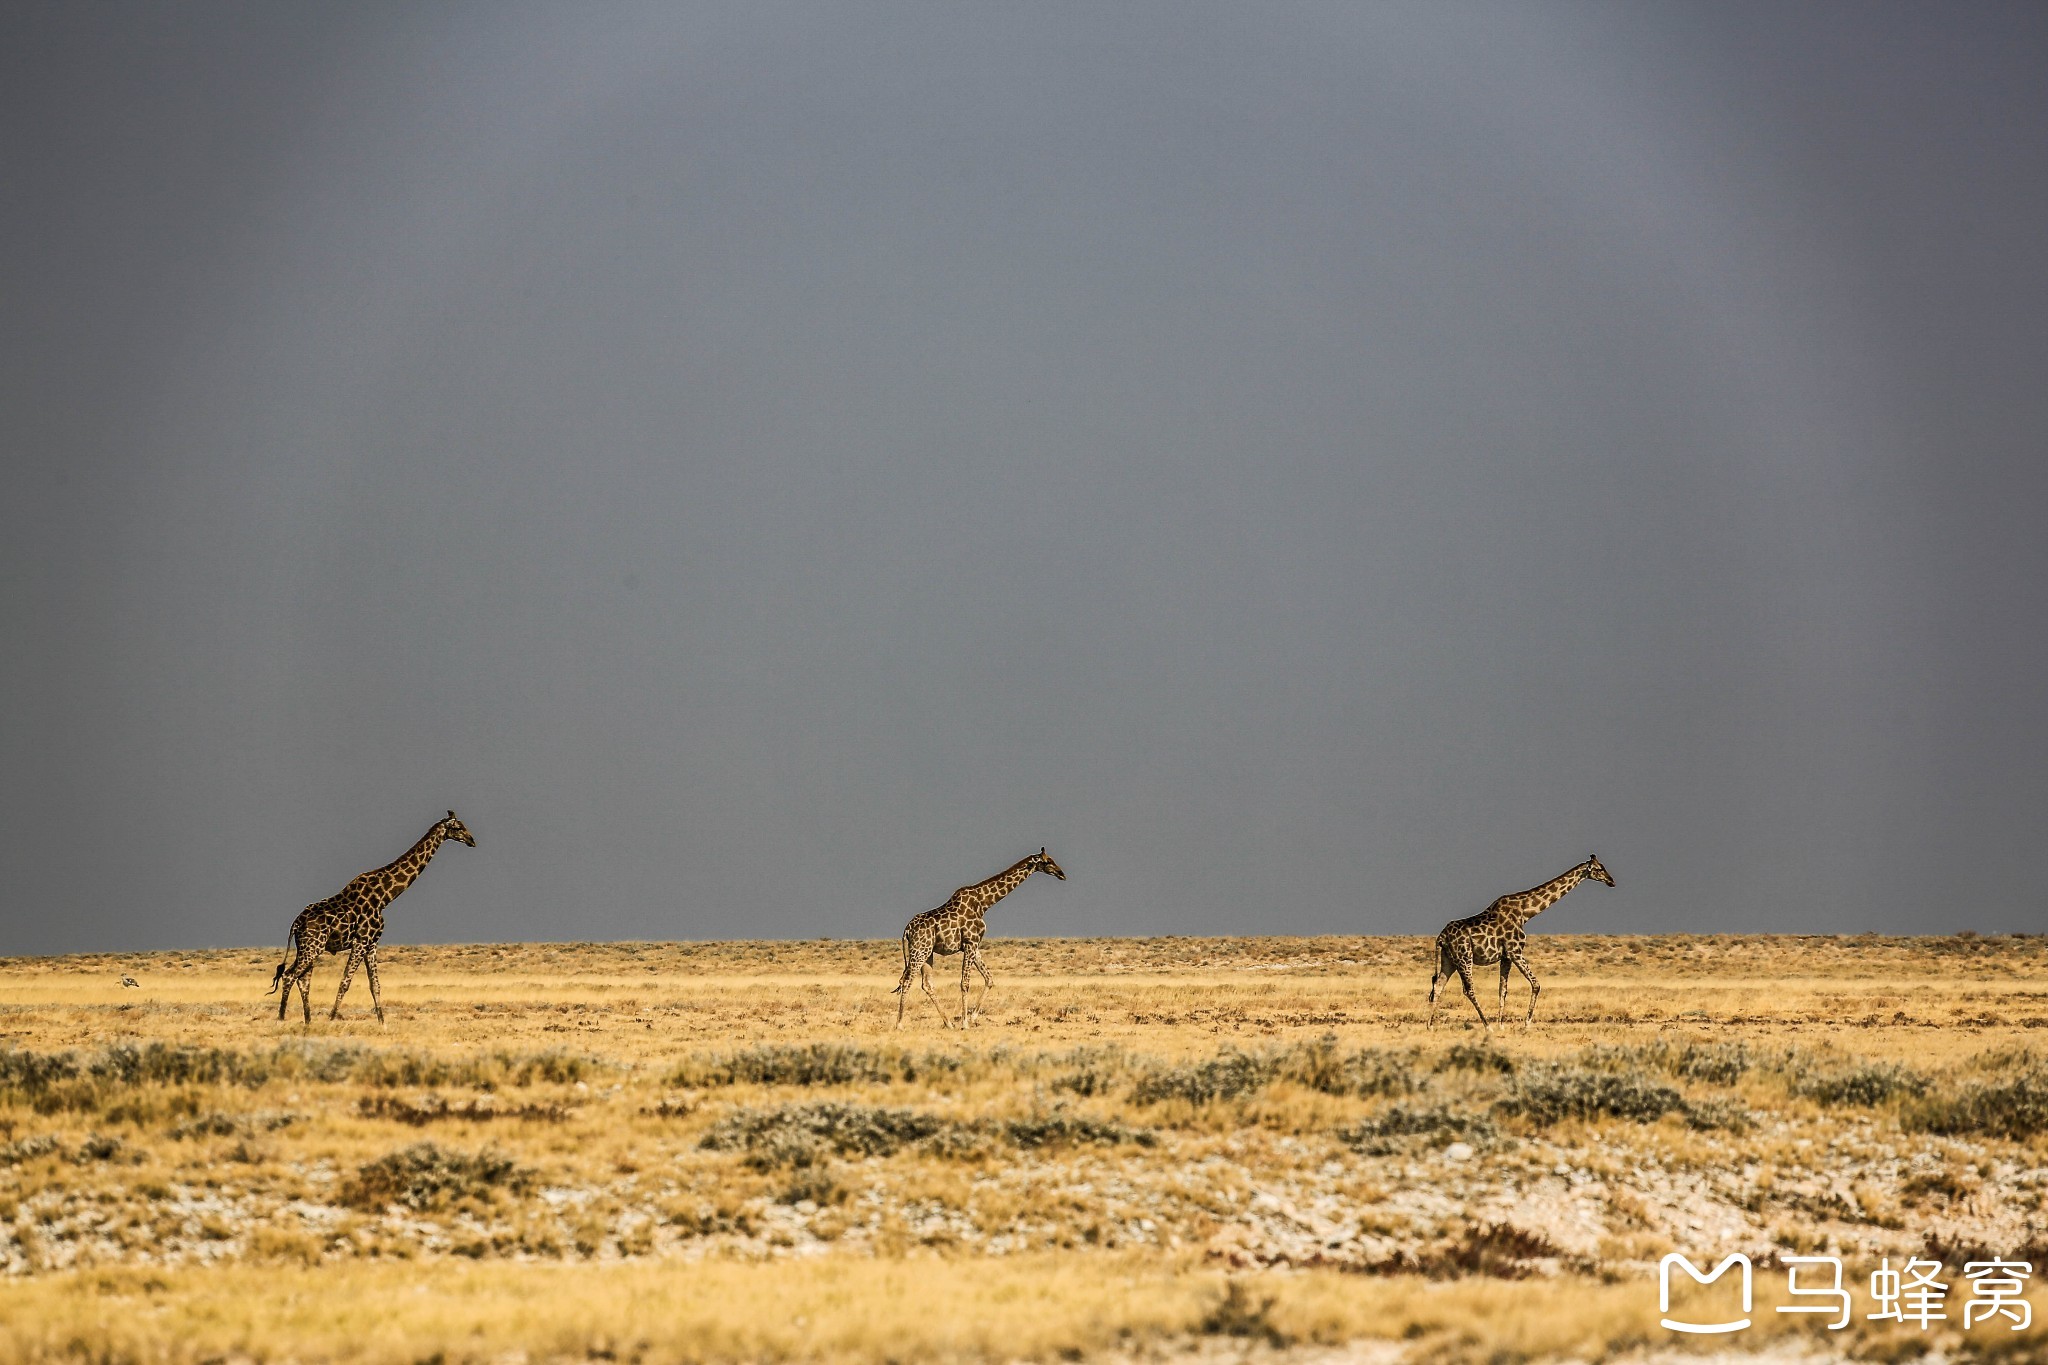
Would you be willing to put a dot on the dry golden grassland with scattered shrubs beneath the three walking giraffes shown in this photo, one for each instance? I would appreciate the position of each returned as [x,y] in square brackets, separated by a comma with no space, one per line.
[1148,1149]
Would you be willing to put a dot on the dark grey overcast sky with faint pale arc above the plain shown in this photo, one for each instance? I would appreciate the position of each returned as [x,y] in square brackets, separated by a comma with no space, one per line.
[1314,468]
